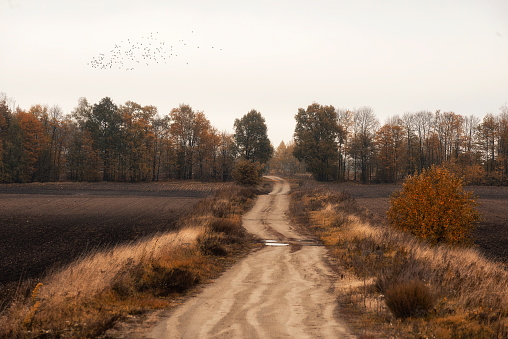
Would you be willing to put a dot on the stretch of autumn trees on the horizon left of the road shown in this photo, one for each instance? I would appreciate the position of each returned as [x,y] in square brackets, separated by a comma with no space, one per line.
[127,142]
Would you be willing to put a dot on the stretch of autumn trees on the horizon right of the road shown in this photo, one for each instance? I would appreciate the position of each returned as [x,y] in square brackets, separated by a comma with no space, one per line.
[343,144]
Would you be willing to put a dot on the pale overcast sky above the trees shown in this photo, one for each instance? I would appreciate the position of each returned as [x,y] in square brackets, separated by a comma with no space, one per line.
[272,56]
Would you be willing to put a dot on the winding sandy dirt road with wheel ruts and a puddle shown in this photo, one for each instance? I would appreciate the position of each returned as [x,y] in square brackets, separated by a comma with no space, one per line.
[284,290]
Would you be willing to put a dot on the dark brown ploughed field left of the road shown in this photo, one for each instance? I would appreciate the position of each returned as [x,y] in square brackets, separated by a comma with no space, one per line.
[47,225]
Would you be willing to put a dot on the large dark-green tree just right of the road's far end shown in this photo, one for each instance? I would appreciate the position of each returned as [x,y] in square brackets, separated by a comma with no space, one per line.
[316,140]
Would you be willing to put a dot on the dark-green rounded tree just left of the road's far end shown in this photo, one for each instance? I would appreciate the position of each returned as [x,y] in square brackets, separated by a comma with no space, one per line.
[251,138]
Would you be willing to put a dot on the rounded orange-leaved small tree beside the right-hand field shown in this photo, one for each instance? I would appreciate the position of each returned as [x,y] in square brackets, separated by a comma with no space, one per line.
[434,206]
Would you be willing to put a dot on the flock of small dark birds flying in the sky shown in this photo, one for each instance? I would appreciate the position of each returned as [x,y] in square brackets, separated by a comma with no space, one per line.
[148,50]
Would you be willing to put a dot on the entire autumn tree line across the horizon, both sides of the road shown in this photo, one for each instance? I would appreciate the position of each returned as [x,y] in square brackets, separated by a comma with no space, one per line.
[131,142]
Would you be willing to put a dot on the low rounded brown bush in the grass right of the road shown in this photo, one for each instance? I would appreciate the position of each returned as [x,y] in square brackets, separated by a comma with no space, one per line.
[409,299]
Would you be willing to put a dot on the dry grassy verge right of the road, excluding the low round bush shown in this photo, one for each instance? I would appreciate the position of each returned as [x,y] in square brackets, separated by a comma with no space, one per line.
[471,290]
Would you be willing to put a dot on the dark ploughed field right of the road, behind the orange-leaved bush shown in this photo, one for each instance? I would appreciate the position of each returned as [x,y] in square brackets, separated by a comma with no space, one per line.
[491,235]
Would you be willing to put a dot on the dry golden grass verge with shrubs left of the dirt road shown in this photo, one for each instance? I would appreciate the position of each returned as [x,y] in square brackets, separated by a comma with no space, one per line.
[88,296]
